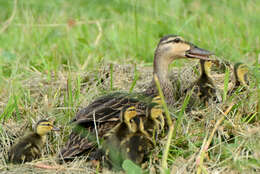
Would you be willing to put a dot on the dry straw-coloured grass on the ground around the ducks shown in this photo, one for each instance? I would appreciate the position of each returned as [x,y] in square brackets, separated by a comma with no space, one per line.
[234,146]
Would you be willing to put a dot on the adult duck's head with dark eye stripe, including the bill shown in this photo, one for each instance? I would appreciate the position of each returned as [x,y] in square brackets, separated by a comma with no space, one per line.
[173,47]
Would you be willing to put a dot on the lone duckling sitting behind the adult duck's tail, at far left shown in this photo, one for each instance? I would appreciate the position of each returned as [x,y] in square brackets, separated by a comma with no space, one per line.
[30,147]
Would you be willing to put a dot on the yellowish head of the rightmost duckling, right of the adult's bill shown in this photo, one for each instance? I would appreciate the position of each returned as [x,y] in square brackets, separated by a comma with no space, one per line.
[241,71]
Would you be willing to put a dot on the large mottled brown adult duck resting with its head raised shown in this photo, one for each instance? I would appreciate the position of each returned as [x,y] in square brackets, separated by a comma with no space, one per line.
[103,113]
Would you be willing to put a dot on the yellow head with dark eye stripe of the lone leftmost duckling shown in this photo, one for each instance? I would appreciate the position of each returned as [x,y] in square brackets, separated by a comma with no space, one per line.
[45,126]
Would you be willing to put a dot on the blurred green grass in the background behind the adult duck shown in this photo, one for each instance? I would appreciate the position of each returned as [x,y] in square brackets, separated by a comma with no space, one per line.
[49,34]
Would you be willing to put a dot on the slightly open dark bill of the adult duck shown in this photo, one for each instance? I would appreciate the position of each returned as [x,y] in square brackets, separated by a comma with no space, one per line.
[198,53]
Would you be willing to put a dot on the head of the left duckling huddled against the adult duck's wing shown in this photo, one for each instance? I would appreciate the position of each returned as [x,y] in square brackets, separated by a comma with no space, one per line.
[128,116]
